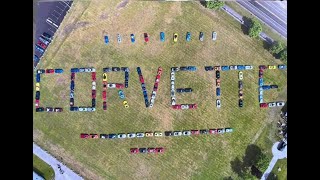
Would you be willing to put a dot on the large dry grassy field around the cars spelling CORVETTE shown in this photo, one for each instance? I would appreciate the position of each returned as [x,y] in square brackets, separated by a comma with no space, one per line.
[79,43]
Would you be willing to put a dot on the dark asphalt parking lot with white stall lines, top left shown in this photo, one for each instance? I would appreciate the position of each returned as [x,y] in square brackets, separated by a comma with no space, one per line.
[49,17]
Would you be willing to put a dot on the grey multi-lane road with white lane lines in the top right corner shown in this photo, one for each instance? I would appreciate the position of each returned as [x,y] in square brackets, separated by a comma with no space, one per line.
[272,13]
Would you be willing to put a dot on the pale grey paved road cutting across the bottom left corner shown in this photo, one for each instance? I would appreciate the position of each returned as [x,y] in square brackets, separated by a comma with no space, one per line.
[68,174]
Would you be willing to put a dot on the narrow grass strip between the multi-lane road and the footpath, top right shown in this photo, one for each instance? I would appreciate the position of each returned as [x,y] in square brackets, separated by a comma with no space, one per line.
[266,29]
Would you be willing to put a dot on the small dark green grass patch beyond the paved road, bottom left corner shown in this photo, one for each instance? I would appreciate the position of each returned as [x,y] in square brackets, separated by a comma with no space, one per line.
[42,168]
